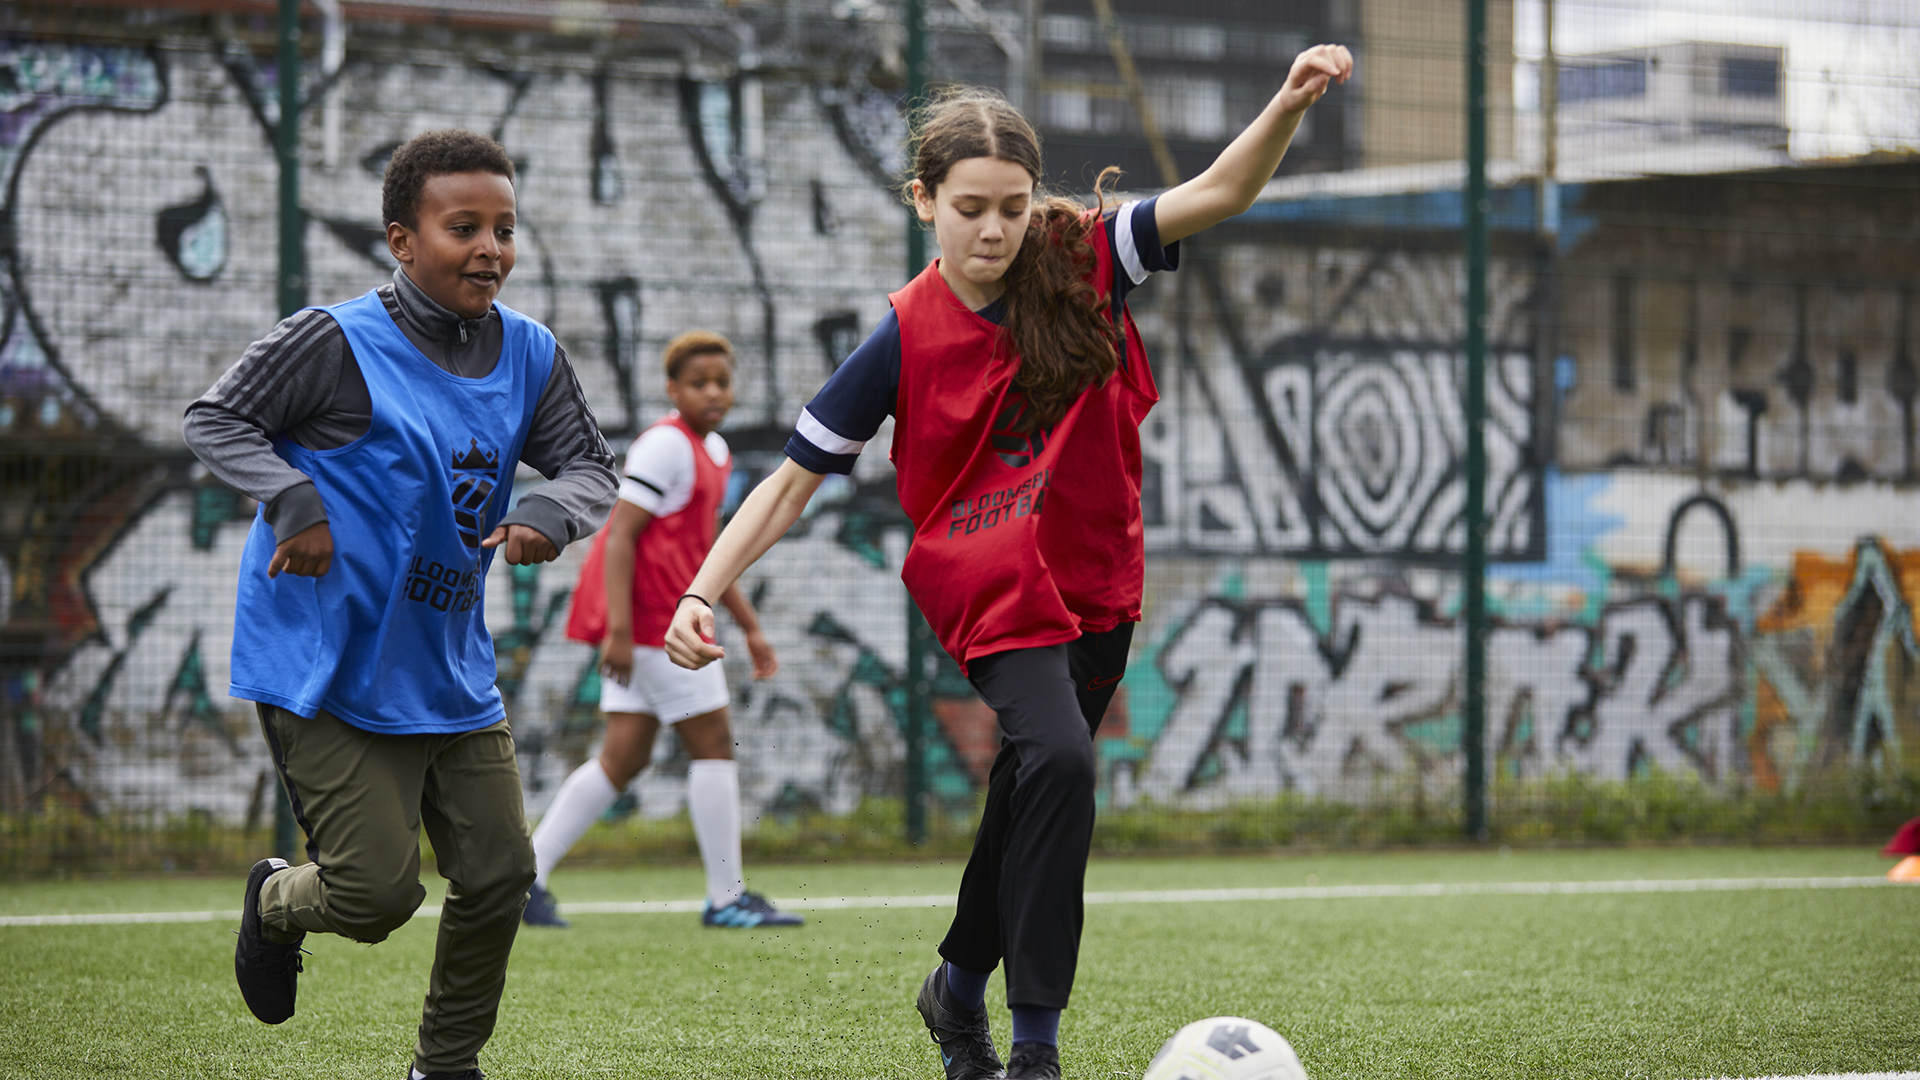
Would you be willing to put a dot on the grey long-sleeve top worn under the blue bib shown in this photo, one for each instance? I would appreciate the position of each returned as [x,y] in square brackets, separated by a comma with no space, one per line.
[304,383]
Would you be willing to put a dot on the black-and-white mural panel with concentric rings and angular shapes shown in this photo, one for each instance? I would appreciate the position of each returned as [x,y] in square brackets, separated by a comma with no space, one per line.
[1303,426]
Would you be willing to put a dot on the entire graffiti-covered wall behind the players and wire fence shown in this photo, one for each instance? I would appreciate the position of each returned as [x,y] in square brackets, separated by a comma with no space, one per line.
[1702,524]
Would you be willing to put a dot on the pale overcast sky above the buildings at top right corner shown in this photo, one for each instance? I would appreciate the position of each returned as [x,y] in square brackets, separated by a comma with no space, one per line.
[1854,66]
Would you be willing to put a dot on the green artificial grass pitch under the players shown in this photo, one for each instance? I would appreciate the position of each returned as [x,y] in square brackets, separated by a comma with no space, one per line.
[1662,987]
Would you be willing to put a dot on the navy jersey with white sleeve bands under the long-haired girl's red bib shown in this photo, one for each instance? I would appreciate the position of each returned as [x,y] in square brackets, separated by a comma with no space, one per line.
[861,395]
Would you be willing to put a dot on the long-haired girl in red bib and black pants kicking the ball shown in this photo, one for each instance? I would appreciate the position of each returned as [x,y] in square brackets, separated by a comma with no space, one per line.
[1019,387]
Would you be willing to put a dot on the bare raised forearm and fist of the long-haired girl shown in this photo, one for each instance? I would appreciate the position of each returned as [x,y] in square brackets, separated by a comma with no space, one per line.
[1236,180]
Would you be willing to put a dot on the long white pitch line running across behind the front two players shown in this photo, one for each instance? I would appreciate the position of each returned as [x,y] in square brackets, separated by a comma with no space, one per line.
[1163,896]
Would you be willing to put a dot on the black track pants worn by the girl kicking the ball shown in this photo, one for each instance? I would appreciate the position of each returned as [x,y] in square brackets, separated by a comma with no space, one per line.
[1020,896]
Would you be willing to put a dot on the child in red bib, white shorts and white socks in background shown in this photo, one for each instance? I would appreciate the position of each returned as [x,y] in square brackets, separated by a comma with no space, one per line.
[661,529]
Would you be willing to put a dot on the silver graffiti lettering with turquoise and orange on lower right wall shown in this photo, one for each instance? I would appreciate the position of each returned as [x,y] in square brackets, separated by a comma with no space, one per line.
[1721,675]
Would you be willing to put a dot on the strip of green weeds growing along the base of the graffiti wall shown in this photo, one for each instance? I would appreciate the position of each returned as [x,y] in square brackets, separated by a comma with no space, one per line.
[1550,812]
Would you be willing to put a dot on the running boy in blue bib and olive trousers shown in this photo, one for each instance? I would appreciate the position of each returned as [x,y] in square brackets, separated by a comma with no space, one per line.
[381,439]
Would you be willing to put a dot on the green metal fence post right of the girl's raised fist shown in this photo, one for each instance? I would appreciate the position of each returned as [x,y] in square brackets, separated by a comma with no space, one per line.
[1474,574]
